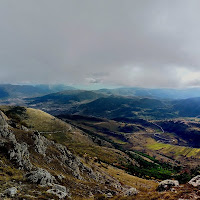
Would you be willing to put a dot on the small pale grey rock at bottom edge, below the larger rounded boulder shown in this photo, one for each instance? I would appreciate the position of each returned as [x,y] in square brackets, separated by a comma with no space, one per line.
[59,190]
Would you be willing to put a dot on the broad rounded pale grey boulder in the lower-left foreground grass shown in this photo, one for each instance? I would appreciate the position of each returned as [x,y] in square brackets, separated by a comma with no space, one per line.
[40,176]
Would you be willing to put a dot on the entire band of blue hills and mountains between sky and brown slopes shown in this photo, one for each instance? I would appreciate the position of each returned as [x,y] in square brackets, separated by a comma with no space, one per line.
[107,103]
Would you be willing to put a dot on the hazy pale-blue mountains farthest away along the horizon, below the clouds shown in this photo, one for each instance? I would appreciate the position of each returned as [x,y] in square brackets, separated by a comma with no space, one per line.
[15,91]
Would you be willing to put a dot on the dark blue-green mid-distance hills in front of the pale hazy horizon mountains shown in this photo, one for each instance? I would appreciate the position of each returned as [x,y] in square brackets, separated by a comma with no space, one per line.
[91,103]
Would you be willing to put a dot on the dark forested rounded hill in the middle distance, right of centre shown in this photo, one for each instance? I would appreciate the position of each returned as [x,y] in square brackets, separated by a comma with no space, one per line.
[117,106]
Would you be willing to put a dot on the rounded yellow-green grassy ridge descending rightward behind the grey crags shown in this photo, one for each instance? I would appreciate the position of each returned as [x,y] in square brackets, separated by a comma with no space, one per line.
[55,129]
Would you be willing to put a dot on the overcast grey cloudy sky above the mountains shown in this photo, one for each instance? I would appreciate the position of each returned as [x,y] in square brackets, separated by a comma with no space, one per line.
[129,43]
